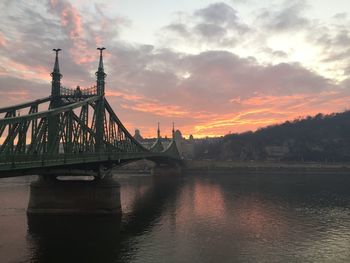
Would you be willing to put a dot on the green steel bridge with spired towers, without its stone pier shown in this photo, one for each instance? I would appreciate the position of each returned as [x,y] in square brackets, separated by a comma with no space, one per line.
[73,130]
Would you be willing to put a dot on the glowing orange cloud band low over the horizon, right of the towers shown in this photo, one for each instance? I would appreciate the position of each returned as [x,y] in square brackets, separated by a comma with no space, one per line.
[250,114]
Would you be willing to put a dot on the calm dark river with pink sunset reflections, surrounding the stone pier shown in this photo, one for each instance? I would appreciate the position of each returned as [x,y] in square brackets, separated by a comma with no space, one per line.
[193,218]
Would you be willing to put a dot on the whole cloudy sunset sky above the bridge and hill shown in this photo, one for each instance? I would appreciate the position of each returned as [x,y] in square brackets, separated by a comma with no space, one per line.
[212,67]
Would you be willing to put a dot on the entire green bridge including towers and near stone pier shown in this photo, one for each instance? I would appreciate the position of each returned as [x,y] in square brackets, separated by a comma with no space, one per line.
[72,131]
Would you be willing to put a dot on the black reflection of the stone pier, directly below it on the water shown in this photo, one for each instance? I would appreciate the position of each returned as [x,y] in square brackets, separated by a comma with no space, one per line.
[74,239]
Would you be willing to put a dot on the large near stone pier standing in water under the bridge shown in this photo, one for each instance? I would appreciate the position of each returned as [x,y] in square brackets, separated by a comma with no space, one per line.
[49,195]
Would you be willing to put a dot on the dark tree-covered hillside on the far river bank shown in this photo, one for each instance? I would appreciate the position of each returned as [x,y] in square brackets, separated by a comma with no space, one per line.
[322,138]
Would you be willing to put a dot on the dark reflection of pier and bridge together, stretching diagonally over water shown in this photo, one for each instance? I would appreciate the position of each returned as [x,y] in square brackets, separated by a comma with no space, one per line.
[103,238]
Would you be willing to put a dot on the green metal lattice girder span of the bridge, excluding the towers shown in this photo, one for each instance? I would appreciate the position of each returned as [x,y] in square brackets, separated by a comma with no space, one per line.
[76,138]
